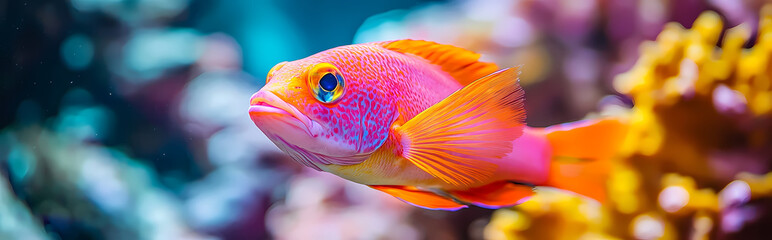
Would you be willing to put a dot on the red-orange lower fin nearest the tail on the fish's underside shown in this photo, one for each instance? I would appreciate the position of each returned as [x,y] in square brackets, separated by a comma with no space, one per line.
[495,195]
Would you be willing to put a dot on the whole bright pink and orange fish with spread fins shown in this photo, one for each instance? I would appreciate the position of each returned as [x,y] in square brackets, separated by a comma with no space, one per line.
[430,124]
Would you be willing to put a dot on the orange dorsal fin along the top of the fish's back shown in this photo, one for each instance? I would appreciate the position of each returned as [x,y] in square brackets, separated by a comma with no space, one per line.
[461,64]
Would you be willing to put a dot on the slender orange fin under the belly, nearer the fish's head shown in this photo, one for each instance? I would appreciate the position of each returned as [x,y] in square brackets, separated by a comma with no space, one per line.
[420,198]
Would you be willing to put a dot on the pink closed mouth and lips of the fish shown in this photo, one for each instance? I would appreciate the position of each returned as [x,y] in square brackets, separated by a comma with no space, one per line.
[265,104]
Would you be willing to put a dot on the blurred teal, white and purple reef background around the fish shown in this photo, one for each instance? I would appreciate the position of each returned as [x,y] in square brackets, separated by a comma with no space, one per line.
[127,119]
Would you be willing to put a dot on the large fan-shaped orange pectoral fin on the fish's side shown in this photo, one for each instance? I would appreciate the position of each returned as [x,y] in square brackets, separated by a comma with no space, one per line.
[460,138]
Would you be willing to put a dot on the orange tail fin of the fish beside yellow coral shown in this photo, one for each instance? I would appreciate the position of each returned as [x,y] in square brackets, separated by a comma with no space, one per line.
[581,155]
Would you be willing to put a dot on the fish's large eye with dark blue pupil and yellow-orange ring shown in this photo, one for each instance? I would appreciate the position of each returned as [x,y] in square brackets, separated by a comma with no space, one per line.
[326,82]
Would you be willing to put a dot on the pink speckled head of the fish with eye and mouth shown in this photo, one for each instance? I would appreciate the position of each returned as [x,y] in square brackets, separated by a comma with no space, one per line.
[328,108]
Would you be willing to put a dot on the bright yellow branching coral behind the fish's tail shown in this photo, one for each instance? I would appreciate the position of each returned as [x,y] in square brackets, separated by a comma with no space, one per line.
[698,109]
